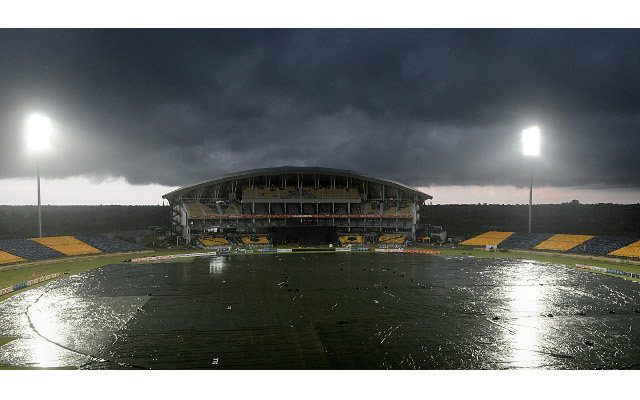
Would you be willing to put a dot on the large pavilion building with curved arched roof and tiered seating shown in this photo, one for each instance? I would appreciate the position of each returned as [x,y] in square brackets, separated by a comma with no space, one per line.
[306,205]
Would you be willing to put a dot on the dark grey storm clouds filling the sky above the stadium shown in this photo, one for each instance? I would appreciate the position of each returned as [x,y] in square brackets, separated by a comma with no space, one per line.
[423,107]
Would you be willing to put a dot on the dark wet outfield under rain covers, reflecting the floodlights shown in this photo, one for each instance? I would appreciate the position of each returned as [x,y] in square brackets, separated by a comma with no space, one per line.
[327,311]
